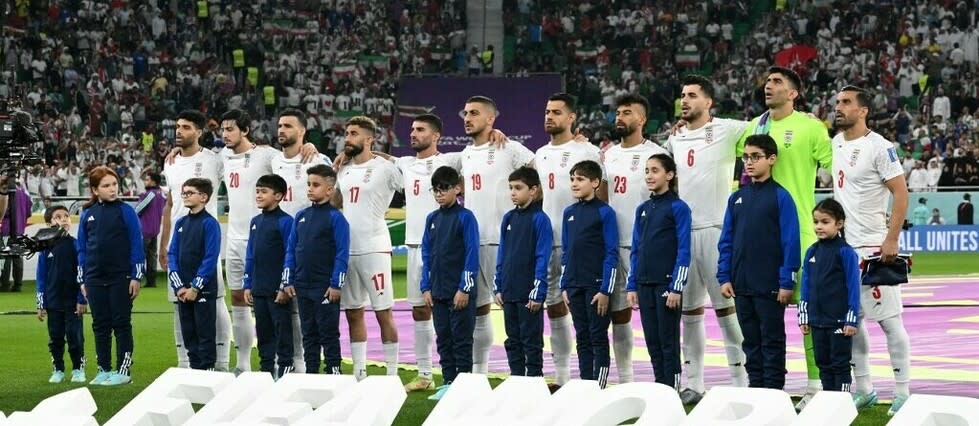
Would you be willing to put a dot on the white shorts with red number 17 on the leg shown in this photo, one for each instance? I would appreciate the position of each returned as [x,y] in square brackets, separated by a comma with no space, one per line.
[368,281]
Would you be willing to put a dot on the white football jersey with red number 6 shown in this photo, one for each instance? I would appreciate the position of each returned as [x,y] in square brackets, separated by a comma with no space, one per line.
[705,160]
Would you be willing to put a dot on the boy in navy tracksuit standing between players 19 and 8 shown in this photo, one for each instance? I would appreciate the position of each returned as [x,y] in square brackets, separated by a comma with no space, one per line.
[521,274]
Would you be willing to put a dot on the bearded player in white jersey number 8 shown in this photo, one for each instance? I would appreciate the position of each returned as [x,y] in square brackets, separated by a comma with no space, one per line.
[554,162]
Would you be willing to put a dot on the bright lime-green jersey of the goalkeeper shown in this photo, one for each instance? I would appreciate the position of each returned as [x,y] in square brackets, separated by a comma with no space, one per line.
[803,146]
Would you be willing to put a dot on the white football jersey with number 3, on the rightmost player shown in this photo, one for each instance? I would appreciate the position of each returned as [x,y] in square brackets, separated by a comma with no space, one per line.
[860,168]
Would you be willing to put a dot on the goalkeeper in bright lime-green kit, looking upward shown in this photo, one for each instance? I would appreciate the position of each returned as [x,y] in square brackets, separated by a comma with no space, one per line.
[803,146]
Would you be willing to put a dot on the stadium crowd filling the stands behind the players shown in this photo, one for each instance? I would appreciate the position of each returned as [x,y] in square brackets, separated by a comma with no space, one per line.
[107,97]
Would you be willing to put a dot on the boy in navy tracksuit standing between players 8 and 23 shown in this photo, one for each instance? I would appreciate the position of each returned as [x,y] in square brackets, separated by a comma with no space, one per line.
[590,242]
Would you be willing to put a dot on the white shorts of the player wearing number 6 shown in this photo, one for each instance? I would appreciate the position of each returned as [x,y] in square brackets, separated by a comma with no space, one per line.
[702,278]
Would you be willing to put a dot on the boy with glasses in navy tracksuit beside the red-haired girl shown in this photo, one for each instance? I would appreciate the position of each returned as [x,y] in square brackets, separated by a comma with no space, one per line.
[193,264]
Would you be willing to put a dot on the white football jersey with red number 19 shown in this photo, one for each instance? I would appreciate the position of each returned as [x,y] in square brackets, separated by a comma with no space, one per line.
[486,172]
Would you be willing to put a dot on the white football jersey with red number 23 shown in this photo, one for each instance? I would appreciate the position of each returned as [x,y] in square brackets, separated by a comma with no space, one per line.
[626,170]
